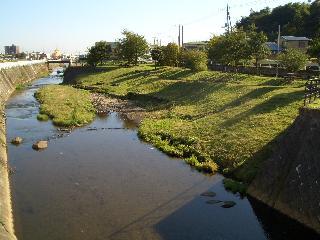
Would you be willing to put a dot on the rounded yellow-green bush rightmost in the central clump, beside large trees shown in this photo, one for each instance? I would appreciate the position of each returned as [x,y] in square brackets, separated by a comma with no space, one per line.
[195,60]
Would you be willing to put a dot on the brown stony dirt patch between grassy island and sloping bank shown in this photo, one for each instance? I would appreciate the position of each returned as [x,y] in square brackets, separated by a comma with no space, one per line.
[105,104]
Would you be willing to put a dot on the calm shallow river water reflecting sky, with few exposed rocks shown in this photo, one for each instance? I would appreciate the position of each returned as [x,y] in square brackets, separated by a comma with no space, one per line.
[102,182]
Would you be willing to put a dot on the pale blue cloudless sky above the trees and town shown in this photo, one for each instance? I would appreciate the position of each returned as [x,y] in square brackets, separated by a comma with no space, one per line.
[74,25]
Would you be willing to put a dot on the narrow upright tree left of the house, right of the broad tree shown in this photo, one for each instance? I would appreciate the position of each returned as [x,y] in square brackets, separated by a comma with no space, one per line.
[257,46]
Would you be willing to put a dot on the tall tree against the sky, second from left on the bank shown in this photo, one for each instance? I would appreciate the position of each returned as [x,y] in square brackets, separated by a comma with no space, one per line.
[132,46]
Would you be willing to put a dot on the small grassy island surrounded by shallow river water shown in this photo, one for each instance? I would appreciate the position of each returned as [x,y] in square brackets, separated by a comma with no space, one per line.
[66,106]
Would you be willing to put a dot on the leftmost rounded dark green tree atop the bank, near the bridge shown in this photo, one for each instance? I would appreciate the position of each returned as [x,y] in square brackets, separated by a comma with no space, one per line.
[99,53]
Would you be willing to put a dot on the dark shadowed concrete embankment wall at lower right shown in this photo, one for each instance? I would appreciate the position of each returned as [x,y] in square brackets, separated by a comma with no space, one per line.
[289,181]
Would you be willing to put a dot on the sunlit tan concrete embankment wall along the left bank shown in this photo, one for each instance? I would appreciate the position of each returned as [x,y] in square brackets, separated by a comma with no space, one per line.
[9,79]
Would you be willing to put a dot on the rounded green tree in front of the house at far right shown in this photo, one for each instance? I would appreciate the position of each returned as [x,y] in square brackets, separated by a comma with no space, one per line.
[293,60]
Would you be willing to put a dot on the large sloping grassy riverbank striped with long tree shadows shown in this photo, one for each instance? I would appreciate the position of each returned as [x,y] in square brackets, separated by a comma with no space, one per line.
[209,117]
